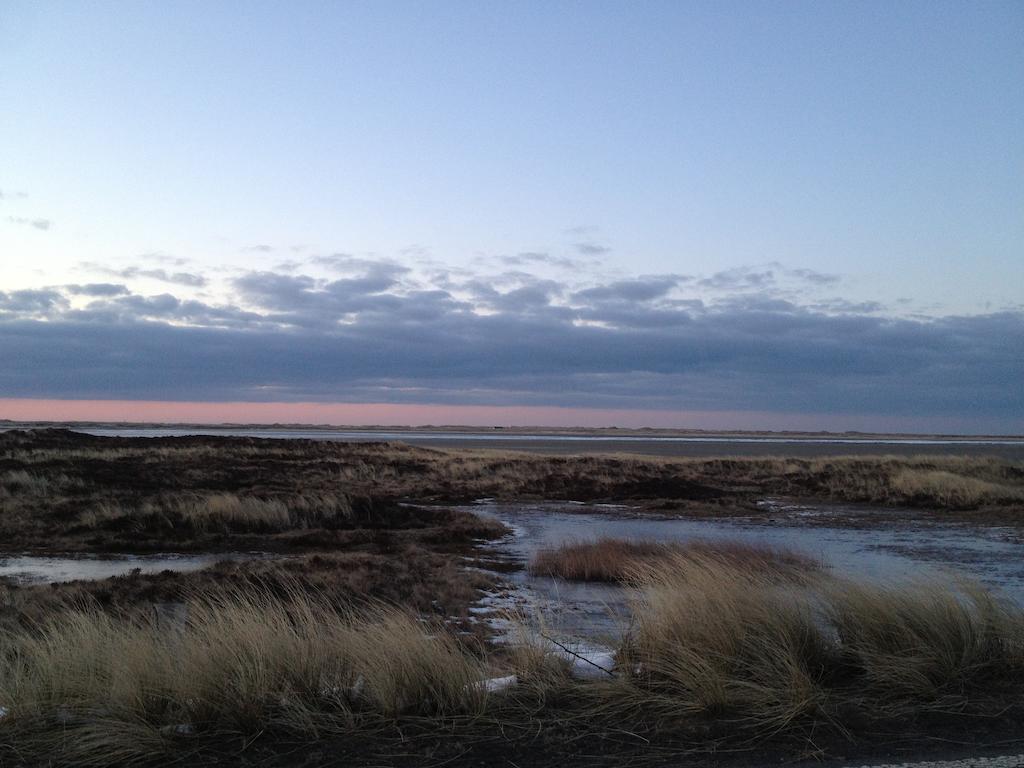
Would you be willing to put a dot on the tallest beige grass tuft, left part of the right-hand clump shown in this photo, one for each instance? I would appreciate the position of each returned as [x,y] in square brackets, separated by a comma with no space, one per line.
[716,639]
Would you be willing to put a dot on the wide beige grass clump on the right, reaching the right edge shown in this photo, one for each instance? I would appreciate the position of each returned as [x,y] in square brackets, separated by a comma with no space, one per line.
[719,641]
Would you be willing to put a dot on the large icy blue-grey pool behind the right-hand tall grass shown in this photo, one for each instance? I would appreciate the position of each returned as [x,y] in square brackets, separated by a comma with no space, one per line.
[889,550]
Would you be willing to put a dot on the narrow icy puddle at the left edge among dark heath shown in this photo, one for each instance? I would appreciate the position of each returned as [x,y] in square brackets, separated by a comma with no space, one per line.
[52,569]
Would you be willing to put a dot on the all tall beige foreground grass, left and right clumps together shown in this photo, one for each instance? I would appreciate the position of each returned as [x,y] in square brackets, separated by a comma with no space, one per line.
[718,654]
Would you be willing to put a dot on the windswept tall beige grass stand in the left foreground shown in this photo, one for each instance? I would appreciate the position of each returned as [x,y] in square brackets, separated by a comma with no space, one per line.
[87,686]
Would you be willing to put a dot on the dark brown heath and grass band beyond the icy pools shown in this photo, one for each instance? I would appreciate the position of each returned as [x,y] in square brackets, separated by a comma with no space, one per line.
[65,487]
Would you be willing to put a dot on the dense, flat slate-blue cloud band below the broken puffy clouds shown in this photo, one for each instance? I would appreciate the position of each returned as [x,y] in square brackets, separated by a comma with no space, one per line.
[760,359]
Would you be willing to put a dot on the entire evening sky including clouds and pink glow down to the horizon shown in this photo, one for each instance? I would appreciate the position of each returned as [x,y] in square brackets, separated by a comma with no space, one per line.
[691,215]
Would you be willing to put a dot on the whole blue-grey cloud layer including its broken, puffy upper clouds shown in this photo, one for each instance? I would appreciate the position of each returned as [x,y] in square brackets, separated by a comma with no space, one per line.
[345,329]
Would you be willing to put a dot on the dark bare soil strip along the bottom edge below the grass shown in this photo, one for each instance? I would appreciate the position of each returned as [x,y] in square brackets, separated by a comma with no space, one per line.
[561,736]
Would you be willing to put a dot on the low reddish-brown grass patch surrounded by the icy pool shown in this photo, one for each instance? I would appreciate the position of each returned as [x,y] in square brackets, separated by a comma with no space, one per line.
[624,561]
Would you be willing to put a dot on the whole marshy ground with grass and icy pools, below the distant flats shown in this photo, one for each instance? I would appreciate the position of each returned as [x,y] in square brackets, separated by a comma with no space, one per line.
[237,601]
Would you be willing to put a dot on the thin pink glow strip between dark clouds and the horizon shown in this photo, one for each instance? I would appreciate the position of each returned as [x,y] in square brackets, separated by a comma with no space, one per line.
[382,414]
